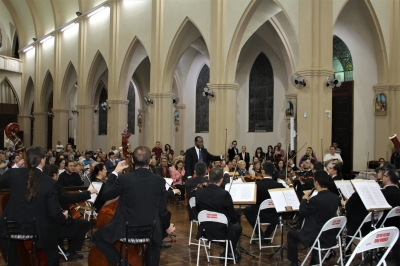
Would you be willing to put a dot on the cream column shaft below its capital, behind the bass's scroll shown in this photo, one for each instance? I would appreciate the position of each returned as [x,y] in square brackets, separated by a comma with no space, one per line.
[118,121]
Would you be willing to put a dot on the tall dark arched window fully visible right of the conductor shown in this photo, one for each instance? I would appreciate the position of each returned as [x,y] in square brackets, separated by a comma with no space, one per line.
[261,96]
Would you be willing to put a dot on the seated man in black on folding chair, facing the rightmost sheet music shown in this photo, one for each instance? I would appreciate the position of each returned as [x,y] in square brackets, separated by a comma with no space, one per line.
[316,212]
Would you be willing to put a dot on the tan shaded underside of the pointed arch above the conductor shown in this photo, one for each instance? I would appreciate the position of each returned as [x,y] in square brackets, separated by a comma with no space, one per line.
[187,33]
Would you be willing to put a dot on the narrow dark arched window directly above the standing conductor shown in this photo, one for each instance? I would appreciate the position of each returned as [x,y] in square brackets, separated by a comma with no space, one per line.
[202,103]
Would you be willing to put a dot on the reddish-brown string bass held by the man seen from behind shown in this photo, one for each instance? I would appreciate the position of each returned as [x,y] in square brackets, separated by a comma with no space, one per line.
[107,212]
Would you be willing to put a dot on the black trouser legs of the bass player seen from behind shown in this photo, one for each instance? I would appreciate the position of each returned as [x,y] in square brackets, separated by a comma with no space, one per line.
[112,254]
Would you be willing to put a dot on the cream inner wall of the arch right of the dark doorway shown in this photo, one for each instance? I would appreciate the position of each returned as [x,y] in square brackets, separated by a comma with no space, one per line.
[365,75]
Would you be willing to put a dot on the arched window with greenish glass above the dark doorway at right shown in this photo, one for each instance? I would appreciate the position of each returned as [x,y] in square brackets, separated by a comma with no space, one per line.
[342,61]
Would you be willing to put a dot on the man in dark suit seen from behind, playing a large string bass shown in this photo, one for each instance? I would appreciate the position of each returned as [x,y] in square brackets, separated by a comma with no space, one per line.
[142,200]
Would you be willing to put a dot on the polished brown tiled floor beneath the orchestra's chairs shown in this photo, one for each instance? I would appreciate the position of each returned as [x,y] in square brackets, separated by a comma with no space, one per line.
[181,254]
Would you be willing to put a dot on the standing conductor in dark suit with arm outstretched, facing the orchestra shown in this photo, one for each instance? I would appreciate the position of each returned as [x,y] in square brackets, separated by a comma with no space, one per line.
[197,154]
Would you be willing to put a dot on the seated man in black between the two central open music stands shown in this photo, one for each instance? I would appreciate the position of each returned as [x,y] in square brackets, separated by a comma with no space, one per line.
[268,215]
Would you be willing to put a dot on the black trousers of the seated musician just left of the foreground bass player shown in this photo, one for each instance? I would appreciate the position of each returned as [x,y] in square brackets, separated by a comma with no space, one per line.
[75,232]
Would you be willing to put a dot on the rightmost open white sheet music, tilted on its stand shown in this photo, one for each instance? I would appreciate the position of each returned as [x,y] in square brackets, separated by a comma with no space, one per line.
[371,194]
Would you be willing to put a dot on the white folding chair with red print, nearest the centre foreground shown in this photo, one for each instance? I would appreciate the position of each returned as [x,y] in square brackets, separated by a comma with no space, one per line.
[214,217]
